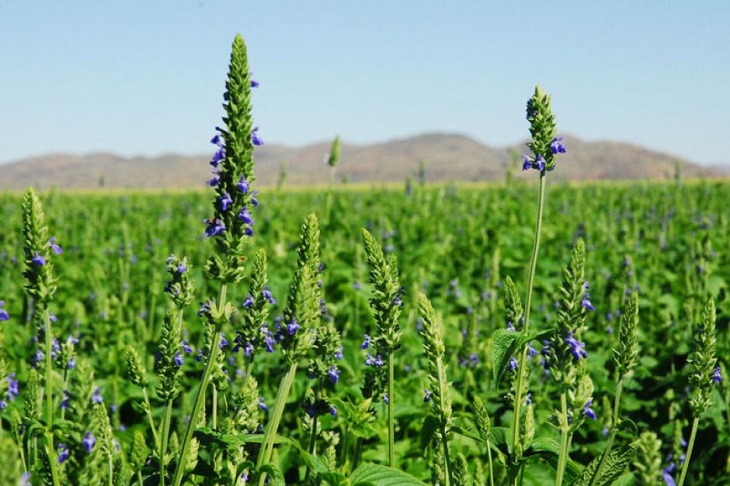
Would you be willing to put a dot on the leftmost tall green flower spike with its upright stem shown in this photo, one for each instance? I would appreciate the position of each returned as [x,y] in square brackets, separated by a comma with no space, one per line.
[41,285]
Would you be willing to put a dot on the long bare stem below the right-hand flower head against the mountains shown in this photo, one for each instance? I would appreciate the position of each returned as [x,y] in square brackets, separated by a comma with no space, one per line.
[521,369]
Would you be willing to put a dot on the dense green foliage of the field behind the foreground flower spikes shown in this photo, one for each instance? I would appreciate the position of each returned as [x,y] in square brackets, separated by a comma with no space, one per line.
[455,244]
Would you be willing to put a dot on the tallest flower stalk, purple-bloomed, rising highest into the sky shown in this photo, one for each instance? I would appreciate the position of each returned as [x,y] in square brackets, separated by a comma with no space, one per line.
[231,222]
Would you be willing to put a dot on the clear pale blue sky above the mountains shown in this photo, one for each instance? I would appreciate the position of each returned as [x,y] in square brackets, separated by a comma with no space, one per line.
[146,77]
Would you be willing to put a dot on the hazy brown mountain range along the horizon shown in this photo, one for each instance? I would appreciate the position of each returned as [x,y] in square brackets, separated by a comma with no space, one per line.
[443,157]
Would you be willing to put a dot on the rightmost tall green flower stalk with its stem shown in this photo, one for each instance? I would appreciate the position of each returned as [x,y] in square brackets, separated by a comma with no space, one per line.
[705,375]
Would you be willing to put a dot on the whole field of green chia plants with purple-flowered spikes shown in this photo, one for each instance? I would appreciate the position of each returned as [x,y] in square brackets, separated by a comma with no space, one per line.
[521,333]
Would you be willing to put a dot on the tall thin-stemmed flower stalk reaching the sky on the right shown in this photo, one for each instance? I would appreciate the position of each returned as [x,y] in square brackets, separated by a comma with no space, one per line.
[545,147]
